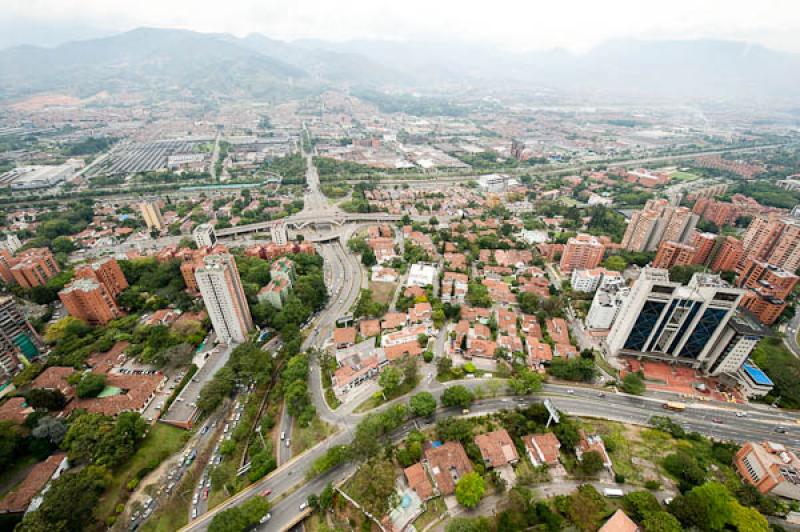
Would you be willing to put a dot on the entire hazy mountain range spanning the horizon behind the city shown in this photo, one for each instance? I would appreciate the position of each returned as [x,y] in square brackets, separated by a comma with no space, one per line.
[181,62]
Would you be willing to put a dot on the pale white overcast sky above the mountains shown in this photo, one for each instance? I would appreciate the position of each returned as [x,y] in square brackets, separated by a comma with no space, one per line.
[512,24]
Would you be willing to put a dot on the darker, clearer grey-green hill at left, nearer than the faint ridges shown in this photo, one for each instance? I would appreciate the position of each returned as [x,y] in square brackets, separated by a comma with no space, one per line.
[163,60]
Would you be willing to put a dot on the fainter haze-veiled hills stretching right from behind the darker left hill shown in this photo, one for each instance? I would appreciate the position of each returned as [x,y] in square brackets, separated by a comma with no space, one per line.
[679,70]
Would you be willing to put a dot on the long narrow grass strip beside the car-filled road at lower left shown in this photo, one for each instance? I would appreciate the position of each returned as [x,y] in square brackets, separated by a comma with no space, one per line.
[161,442]
